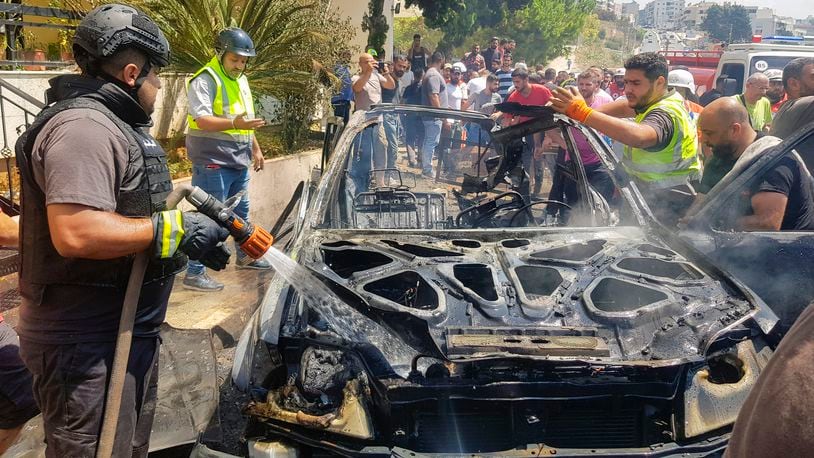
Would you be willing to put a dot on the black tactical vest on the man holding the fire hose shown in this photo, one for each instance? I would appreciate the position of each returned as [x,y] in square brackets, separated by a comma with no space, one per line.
[147,180]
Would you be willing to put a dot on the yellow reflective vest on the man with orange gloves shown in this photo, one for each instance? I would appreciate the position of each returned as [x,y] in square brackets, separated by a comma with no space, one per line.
[676,163]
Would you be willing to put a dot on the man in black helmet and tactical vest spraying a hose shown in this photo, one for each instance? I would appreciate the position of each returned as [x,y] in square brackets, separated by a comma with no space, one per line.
[94,185]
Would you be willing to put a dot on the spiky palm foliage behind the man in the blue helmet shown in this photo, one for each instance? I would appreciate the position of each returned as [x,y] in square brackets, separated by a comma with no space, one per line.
[296,41]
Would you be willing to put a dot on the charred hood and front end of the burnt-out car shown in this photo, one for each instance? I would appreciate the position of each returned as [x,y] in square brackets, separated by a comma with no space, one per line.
[536,337]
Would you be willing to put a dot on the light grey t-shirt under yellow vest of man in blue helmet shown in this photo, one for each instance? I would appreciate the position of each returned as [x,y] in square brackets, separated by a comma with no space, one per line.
[214,147]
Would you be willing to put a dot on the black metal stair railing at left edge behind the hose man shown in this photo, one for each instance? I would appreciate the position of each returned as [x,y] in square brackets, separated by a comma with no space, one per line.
[11,96]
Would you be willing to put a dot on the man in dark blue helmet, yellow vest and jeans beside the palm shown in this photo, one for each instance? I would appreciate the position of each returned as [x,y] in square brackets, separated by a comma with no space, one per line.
[221,143]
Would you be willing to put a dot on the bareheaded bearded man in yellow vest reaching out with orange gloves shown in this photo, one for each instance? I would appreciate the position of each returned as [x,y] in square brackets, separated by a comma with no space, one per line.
[661,152]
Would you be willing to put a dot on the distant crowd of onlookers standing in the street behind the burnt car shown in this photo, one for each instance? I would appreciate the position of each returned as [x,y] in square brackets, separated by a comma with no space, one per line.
[478,81]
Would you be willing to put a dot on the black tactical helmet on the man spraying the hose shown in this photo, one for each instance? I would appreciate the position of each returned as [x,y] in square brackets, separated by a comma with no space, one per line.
[112,27]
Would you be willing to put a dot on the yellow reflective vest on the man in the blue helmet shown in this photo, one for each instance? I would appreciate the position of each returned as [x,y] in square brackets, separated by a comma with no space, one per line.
[232,98]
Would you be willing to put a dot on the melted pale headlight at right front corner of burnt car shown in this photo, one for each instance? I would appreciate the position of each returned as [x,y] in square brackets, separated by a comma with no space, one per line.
[715,392]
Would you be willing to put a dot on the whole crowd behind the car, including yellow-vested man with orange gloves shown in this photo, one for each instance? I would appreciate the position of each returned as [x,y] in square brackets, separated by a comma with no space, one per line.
[676,145]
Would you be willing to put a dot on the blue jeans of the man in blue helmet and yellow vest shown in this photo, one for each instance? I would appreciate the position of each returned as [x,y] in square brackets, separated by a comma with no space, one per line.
[222,183]
